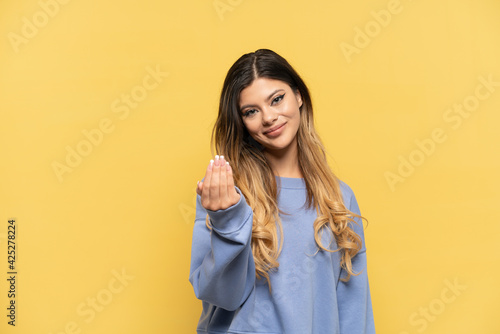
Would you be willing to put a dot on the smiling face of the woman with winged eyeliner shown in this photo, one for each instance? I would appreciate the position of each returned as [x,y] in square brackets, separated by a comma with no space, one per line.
[268,105]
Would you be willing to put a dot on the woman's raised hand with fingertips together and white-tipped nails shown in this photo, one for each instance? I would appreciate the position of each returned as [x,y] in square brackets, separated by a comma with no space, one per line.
[217,191]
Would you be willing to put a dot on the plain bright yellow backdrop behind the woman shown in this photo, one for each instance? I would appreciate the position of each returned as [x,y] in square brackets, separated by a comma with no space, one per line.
[129,204]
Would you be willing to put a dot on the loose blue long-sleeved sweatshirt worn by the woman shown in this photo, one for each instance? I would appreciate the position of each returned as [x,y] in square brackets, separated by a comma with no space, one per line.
[307,296]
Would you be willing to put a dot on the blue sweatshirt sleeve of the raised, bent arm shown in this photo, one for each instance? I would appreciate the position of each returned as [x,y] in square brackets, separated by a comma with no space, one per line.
[222,266]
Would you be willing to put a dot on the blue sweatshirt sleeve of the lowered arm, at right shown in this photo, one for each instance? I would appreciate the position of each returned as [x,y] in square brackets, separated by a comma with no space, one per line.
[354,300]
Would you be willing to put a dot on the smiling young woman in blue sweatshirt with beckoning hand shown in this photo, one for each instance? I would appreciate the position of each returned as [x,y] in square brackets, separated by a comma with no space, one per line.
[278,243]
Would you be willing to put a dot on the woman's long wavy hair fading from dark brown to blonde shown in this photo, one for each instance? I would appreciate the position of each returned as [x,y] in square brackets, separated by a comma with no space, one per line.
[255,178]
